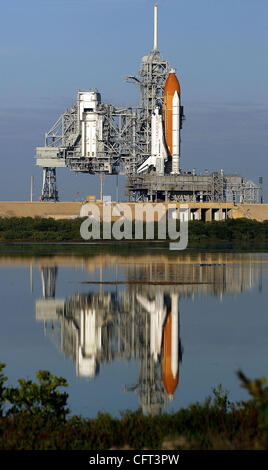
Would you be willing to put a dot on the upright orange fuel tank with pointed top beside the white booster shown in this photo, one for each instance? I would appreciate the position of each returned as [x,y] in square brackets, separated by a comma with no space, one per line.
[171,86]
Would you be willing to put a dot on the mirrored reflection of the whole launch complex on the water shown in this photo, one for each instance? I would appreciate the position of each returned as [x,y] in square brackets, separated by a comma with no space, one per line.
[140,322]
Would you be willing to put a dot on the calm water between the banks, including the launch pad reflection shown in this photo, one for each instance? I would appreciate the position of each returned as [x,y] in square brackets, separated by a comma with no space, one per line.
[155,330]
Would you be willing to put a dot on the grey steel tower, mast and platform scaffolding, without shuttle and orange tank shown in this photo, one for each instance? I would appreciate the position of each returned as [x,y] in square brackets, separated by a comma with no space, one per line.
[122,142]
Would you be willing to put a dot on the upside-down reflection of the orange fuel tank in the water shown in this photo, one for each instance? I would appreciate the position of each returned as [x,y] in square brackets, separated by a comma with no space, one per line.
[170,382]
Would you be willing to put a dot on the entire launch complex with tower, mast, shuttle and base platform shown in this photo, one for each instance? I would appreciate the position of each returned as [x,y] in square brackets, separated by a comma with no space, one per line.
[143,143]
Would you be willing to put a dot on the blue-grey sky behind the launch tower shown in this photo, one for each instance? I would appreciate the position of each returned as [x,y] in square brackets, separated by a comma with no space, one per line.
[51,48]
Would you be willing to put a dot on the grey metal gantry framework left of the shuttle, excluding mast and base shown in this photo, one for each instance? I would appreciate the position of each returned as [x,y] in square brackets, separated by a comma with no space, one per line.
[126,132]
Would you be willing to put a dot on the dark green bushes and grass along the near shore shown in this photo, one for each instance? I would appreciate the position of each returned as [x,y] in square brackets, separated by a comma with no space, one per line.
[34,416]
